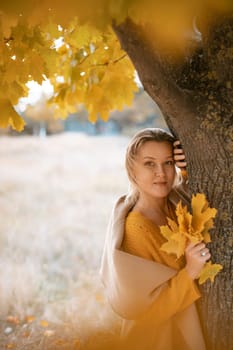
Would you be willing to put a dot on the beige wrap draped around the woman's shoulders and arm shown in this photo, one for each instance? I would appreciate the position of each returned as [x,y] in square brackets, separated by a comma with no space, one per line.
[132,283]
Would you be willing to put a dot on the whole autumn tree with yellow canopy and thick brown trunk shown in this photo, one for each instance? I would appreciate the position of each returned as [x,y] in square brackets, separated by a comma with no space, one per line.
[183,54]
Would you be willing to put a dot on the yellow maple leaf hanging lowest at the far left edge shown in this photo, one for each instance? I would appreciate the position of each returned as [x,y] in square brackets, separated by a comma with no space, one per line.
[9,117]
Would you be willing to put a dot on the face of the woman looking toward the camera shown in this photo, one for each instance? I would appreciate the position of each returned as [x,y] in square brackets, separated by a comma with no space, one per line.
[154,169]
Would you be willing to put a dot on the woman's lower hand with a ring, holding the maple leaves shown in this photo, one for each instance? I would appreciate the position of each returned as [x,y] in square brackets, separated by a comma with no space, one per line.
[196,256]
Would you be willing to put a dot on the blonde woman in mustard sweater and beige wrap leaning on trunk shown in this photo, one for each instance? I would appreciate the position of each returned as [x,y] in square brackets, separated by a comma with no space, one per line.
[151,290]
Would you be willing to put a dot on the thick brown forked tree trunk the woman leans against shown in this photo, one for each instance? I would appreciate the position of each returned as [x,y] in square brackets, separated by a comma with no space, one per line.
[195,96]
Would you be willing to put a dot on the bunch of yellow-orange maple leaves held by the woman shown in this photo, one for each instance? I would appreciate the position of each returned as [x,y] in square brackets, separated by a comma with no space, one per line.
[191,227]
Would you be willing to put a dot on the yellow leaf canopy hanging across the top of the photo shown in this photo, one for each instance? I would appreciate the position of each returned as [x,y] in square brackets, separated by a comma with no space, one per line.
[89,53]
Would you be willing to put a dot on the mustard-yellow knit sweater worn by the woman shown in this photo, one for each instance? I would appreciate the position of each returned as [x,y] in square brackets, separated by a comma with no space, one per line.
[157,329]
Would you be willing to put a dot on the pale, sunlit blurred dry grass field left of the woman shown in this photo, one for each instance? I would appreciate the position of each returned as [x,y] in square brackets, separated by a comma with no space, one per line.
[56,195]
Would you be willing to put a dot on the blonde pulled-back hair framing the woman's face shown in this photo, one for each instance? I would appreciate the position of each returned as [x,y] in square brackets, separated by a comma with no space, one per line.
[140,138]
